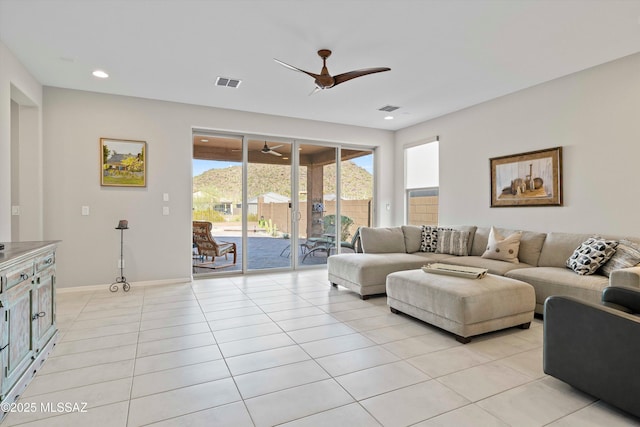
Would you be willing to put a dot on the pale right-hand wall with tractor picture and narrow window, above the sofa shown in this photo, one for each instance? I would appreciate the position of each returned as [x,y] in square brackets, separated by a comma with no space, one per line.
[593,115]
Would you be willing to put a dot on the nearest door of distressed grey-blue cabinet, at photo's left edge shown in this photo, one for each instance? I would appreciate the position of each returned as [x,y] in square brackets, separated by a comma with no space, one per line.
[18,332]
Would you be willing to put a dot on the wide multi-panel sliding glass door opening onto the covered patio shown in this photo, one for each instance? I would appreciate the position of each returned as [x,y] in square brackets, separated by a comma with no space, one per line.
[281,204]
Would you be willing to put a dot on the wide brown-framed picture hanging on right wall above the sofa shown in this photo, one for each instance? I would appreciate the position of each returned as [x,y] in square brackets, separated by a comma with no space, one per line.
[527,179]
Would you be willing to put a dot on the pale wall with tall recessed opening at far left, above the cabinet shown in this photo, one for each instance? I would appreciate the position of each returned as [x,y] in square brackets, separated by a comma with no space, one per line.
[18,84]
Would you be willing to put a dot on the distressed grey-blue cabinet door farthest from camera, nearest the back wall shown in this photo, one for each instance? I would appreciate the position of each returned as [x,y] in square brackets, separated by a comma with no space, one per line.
[44,315]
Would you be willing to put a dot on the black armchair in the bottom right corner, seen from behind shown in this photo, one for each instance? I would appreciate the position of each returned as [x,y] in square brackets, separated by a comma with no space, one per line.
[596,348]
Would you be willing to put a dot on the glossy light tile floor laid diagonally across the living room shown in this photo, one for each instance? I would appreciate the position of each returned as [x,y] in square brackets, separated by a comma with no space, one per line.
[288,349]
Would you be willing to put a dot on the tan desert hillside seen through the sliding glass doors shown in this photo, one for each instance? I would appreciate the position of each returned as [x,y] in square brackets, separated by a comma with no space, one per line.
[226,184]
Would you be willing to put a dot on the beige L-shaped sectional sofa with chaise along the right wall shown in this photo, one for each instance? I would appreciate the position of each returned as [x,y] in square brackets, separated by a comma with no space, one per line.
[542,258]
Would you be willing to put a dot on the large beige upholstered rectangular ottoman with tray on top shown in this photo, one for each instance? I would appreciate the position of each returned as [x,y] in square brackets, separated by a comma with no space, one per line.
[465,307]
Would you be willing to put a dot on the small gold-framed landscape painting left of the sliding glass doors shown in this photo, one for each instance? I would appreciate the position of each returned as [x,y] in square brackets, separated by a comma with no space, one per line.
[123,163]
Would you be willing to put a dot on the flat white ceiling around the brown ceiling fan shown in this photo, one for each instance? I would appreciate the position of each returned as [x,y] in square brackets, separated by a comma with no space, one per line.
[444,55]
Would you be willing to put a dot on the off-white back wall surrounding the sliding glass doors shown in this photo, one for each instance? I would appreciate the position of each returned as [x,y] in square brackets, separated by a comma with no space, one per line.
[157,247]
